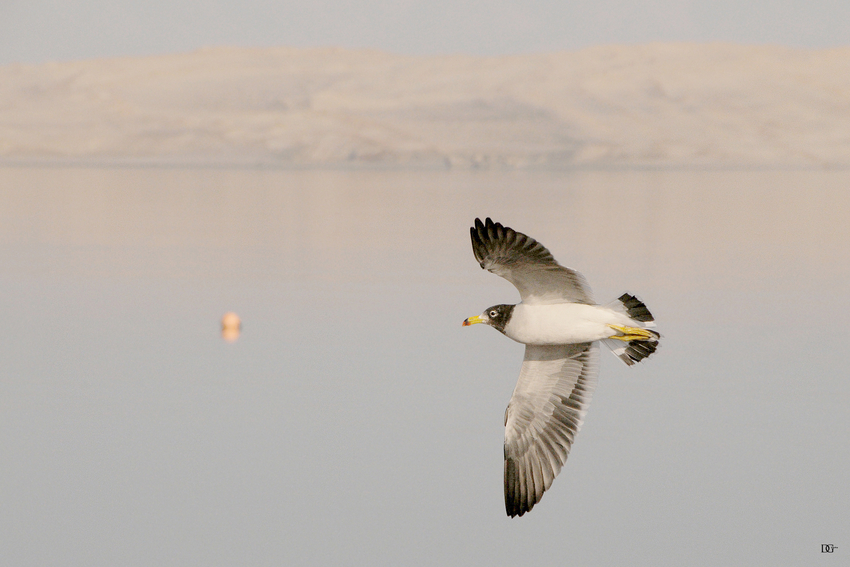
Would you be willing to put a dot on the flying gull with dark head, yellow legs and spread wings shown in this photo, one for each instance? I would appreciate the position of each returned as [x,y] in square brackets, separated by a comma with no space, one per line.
[561,327]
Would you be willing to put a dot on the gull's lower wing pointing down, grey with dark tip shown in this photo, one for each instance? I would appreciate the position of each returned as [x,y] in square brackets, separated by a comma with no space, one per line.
[543,417]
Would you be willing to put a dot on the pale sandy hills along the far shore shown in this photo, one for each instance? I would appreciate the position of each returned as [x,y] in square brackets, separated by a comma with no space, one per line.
[656,105]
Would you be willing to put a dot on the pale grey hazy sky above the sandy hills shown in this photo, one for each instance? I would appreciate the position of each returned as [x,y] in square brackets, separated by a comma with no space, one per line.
[44,30]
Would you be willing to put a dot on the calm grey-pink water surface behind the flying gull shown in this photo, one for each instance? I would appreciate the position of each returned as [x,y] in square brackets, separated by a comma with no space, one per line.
[355,422]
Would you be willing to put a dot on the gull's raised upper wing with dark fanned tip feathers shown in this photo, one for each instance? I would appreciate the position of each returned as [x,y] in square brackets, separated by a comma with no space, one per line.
[527,264]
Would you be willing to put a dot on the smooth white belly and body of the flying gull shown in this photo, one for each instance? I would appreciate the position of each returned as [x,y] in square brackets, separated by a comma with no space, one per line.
[562,323]
